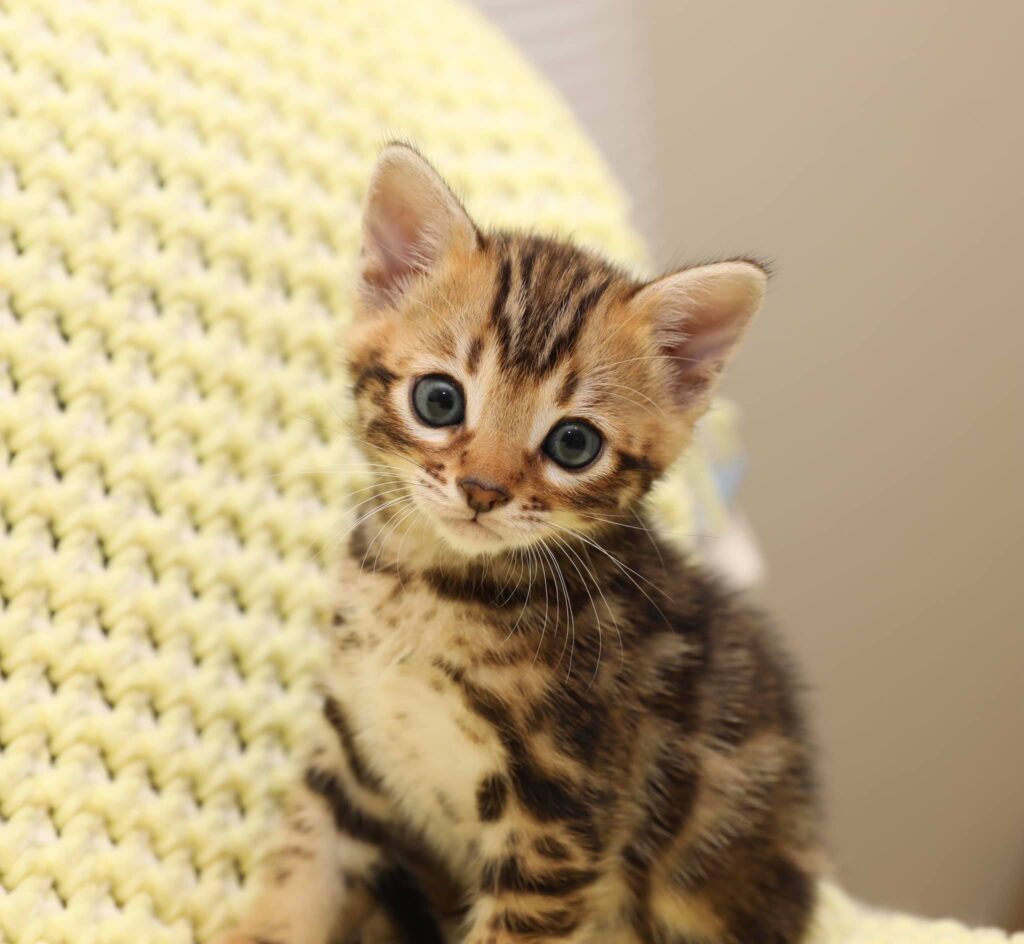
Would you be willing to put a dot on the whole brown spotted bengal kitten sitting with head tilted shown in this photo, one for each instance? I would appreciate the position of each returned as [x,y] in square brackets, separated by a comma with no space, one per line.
[547,726]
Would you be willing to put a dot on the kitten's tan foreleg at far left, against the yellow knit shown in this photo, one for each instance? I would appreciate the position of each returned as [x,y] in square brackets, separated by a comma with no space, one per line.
[317,882]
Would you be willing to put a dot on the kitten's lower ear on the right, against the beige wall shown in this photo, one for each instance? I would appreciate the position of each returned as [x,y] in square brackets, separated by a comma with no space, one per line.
[699,317]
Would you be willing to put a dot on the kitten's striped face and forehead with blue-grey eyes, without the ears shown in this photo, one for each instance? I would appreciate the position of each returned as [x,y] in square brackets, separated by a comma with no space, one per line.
[518,427]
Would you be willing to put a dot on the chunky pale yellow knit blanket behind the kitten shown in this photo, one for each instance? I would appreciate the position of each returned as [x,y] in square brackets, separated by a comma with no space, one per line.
[180,193]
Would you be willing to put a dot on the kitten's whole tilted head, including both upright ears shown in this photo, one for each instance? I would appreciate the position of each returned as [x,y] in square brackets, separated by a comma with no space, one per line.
[521,389]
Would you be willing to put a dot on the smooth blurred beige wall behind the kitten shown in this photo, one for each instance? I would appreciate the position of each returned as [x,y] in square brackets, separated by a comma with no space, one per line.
[875,152]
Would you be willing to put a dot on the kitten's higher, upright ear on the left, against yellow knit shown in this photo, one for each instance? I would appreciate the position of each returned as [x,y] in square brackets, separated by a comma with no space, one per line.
[411,220]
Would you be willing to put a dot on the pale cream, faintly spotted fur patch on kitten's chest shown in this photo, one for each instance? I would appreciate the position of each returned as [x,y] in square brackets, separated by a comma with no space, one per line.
[411,719]
